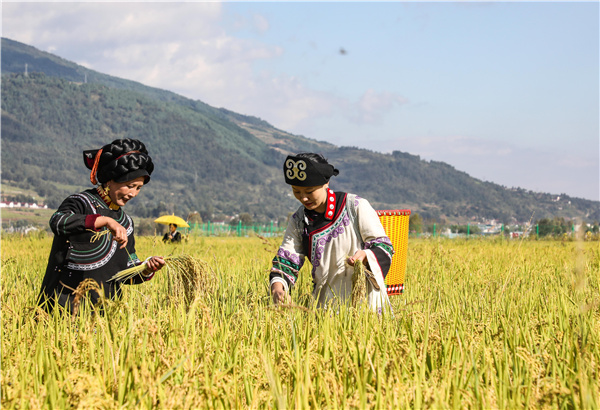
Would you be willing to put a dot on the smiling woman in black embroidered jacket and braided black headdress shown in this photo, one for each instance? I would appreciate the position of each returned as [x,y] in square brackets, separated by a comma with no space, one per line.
[120,170]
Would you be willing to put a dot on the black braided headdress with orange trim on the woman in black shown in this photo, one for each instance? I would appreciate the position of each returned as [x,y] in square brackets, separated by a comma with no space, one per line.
[121,160]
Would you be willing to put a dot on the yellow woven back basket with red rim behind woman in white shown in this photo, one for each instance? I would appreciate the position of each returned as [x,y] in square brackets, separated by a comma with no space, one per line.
[395,223]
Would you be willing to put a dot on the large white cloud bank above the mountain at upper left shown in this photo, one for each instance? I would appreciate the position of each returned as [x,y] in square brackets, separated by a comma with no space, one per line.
[199,60]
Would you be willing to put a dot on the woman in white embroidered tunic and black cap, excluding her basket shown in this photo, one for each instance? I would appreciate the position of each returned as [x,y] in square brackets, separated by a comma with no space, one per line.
[334,230]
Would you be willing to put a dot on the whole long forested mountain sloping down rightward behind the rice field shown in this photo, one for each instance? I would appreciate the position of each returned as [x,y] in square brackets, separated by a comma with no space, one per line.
[213,160]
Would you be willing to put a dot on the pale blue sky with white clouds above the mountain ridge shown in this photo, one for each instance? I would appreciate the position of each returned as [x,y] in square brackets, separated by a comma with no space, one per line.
[507,92]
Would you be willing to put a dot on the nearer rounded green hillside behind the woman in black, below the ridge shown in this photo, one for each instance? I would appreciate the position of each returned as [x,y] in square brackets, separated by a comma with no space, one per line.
[202,163]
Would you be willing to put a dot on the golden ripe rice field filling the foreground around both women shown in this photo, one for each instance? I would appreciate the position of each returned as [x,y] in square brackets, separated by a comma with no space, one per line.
[482,324]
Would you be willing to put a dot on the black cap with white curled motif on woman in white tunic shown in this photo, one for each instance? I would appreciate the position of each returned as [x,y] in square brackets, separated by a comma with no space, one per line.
[302,171]
